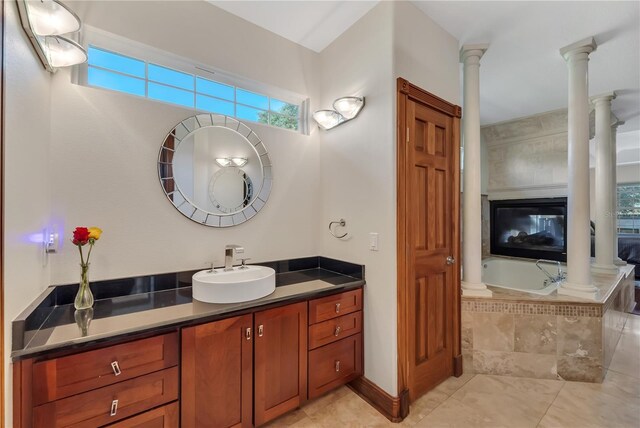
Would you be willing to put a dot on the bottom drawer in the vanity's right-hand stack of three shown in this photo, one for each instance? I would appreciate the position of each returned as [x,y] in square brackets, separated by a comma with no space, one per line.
[334,365]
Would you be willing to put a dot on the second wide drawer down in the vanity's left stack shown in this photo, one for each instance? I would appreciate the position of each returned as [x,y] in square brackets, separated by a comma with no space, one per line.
[111,403]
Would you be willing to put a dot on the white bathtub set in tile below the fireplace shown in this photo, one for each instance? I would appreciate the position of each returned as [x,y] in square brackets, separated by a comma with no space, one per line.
[519,275]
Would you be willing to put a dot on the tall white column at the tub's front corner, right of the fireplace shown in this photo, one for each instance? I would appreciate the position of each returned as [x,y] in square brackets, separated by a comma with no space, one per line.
[578,282]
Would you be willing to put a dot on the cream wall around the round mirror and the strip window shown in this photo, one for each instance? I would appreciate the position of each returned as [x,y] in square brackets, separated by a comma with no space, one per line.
[105,147]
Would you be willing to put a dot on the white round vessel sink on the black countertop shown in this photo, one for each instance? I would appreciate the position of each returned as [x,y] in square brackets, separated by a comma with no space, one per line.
[238,285]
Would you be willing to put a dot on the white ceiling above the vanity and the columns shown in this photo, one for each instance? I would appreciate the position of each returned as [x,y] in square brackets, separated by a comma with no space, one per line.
[522,72]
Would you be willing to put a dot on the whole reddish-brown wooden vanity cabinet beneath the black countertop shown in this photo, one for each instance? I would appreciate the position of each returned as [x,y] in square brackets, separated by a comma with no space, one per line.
[242,371]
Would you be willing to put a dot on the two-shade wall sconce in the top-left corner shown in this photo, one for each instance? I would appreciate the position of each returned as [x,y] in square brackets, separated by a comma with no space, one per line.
[45,21]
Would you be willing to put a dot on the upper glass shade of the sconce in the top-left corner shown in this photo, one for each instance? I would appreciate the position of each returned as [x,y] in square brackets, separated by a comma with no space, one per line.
[51,18]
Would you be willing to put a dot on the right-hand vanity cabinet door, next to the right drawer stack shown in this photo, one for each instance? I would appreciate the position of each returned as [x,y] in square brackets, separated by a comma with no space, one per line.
[280,361]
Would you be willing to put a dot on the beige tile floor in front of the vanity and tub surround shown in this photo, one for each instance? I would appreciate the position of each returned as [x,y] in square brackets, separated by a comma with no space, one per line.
[501,401]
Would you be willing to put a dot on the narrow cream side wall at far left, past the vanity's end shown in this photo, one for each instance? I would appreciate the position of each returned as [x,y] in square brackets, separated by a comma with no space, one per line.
[26,169]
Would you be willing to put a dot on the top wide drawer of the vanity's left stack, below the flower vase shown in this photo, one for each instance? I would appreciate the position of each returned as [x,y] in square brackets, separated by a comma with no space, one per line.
[66,376]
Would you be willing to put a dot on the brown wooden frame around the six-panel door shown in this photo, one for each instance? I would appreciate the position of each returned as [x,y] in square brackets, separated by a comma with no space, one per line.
[407,91]
